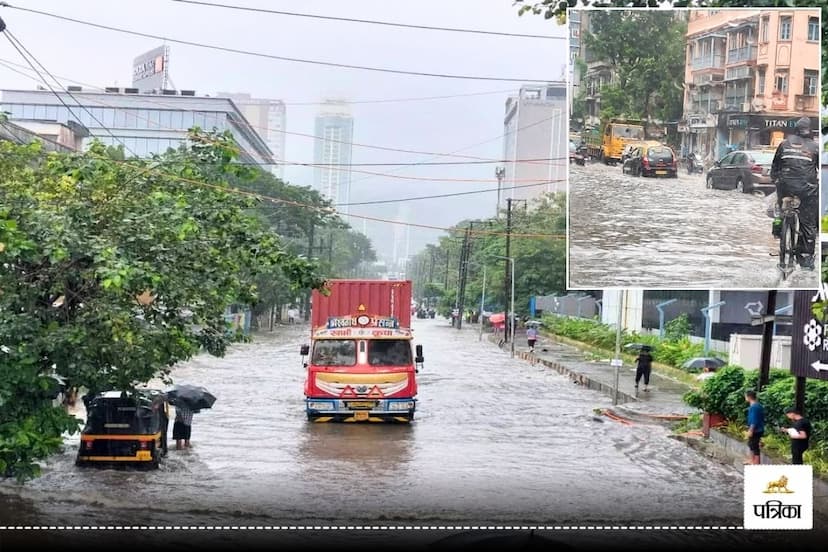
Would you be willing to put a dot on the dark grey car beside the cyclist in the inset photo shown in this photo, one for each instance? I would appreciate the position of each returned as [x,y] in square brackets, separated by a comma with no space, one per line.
[746,171]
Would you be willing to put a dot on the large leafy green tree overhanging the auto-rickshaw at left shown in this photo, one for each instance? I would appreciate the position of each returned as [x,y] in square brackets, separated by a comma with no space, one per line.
[112,271]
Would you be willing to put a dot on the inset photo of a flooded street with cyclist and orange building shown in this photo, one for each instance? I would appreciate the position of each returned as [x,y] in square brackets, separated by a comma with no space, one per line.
[694,149]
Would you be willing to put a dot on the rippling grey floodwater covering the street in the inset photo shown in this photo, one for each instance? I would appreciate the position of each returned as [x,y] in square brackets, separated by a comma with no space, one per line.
[627,231]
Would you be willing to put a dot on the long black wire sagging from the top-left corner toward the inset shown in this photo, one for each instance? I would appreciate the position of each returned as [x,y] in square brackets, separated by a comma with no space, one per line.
[272,56]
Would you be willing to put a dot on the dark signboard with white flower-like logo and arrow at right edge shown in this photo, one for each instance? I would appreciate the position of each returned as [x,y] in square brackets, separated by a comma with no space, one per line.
[809,336]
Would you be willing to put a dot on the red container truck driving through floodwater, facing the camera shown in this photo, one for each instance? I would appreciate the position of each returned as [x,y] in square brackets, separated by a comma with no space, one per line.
[361,366]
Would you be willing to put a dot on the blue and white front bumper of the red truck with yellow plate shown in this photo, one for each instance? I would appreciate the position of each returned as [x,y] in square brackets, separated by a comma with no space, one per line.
[380,410]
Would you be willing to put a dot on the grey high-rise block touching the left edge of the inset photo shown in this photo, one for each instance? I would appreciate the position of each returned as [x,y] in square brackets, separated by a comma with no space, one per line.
[535,141]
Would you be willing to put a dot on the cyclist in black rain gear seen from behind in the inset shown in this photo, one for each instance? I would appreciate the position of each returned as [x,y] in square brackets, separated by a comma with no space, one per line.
[794,171]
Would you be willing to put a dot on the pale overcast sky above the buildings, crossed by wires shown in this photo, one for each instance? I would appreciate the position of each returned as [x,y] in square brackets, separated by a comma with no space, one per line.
[104,58]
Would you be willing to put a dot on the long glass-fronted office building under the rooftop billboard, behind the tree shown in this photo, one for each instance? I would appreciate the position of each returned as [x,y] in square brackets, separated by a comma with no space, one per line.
[144,123]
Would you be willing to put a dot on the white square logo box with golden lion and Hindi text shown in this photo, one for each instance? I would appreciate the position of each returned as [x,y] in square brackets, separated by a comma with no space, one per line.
[779,496]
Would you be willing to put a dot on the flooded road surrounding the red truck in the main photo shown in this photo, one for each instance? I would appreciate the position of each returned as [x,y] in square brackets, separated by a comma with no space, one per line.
[495,441]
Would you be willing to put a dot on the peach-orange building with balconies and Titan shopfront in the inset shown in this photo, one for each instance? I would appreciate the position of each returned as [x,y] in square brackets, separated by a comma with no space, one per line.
[751,74]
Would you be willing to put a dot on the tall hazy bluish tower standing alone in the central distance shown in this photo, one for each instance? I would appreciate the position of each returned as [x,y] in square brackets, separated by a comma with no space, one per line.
[332,152]
